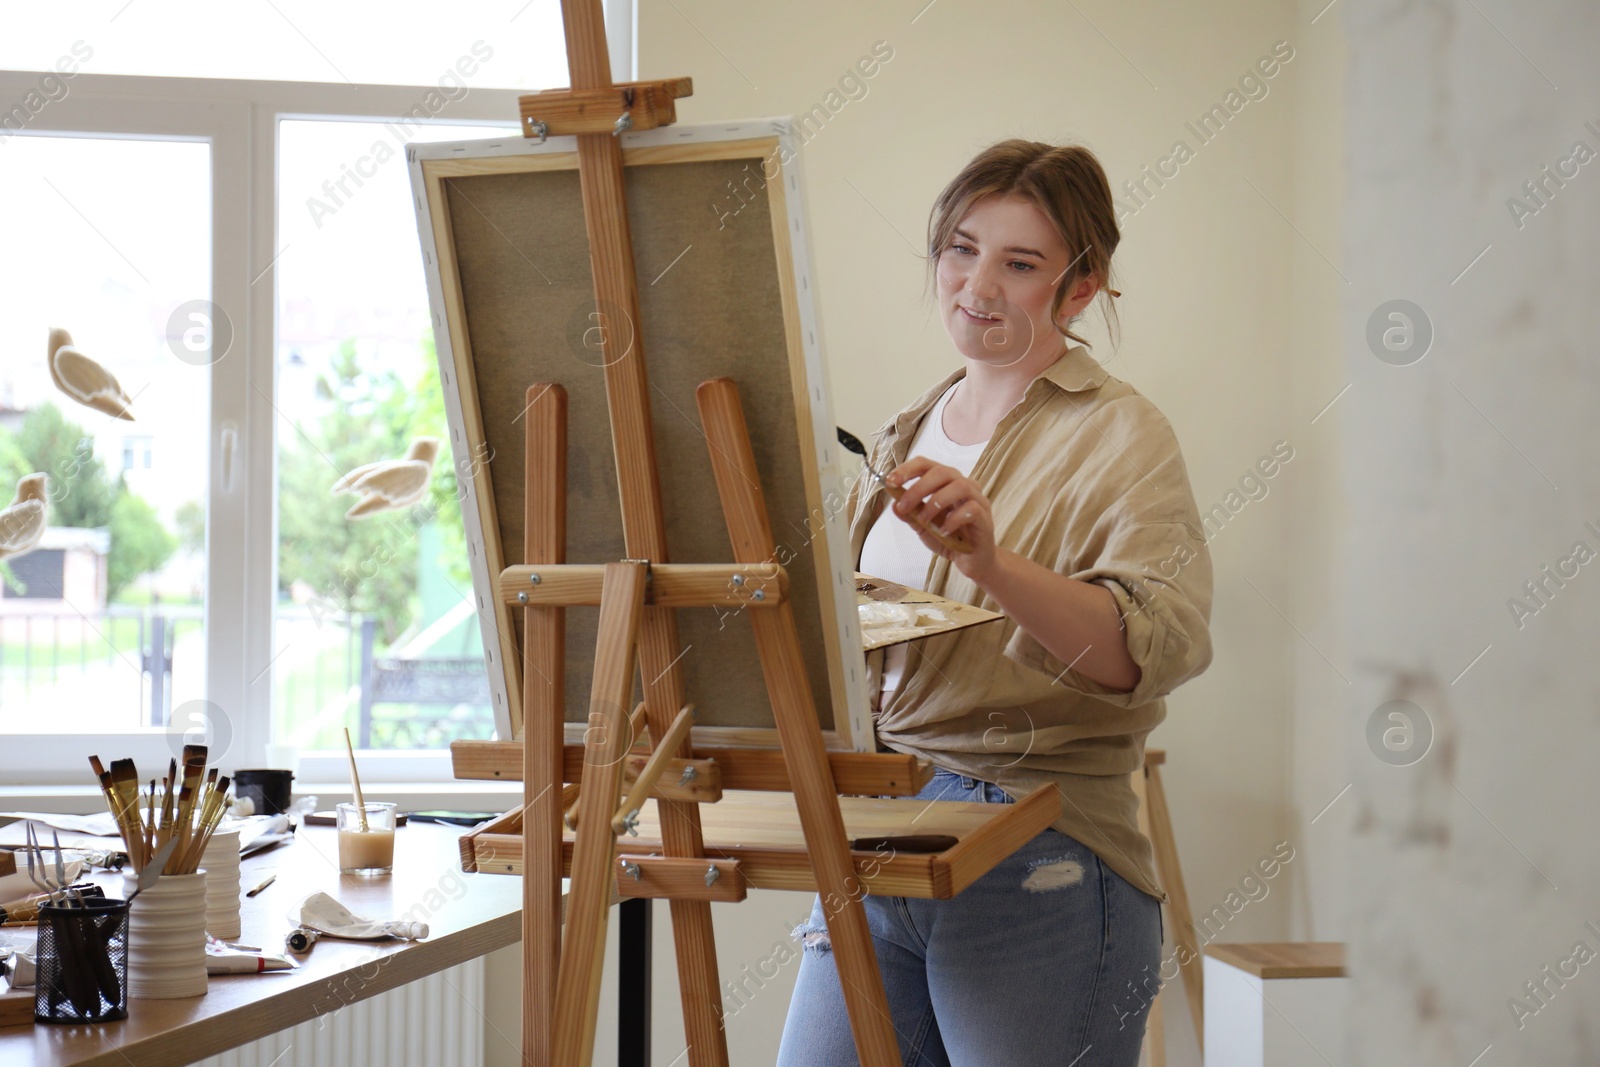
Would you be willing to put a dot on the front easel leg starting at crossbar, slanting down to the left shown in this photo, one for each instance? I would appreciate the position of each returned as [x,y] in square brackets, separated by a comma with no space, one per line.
[594,853]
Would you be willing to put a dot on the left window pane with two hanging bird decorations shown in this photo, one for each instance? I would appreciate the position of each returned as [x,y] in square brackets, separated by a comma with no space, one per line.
[103,580]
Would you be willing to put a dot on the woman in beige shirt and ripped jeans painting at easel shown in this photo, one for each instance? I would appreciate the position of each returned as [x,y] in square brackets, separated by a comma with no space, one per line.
[1073,494]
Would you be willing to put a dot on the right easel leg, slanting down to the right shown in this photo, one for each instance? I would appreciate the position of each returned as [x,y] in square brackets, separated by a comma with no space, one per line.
[799,730]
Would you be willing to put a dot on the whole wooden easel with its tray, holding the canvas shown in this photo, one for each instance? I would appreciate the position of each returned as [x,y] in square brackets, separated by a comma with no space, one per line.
[666,783]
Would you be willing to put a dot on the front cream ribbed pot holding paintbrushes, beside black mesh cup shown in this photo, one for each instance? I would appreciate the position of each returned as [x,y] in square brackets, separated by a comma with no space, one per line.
[167,938]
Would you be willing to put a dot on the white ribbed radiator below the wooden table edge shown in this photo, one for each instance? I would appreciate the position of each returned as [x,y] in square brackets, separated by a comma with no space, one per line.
[431,1023]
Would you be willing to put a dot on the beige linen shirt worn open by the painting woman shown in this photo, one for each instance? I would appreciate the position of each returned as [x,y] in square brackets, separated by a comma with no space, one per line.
[1086,478]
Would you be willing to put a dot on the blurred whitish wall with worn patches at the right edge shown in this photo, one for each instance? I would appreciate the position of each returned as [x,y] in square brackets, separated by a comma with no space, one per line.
[1468,473]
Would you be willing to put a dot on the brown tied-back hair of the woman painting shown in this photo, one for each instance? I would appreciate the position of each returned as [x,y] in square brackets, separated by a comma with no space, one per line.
[1063,182]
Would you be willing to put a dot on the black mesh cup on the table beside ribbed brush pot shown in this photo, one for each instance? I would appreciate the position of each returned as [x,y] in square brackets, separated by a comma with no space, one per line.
[82,962]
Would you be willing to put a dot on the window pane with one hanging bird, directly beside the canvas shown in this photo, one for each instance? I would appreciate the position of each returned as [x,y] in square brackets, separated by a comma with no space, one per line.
[375,626]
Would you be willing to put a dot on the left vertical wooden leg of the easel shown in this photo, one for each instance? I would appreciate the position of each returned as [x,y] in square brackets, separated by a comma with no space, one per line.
[543,703]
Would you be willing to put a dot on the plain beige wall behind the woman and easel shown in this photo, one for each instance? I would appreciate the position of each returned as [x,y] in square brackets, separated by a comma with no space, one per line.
[1226,327]
